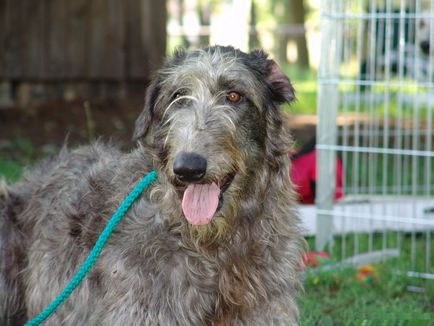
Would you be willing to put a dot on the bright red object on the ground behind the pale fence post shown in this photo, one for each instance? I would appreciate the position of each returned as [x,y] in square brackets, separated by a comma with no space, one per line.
[303,175]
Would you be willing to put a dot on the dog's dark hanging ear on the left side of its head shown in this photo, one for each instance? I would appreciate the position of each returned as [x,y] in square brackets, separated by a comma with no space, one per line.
[144,121]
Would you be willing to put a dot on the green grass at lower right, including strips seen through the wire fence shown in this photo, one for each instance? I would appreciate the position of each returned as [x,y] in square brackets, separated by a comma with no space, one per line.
[335,297]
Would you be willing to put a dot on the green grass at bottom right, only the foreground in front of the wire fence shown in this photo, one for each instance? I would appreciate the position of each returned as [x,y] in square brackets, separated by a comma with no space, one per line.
[337,298]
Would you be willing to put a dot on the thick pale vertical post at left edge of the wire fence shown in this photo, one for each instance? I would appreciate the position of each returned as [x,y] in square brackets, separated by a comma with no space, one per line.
[328,73]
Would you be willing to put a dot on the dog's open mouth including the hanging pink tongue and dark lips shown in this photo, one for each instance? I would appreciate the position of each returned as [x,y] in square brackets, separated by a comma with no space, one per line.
[201,201]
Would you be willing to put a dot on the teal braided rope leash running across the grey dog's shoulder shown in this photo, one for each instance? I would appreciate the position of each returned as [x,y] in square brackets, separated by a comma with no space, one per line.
[96,250]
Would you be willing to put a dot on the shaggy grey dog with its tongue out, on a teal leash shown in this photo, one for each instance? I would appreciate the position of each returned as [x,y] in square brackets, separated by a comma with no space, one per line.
[214,241]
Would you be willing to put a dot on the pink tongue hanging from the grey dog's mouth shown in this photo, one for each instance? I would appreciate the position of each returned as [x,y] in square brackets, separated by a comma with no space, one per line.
[200,203]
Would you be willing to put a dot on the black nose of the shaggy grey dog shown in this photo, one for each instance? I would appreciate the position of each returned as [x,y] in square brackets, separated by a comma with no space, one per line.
[189,167]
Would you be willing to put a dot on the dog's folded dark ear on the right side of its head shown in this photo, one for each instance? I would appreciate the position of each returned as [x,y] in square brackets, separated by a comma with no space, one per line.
[281,87]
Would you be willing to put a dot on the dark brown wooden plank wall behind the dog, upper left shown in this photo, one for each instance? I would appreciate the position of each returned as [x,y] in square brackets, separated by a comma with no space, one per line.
[81,40]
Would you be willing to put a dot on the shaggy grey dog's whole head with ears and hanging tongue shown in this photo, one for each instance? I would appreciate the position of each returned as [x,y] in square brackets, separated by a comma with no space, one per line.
[213,118]
